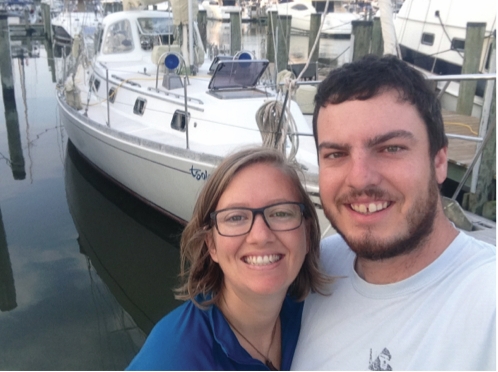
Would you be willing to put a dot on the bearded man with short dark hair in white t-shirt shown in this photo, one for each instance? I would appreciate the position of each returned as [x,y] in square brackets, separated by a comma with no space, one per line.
[411,291]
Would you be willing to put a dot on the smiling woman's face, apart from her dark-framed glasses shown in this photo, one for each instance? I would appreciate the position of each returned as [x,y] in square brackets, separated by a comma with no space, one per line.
[262,261]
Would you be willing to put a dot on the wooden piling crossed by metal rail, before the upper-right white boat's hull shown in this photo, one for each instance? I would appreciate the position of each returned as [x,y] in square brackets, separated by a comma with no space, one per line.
[474,40]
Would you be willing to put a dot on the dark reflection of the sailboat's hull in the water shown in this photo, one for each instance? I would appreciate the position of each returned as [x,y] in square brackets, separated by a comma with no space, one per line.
[132,247]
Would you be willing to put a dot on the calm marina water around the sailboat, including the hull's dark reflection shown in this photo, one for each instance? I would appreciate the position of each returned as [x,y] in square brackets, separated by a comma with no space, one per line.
[86,270]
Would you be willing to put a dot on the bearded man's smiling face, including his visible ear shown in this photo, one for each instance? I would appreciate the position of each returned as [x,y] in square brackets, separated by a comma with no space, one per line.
[378,185]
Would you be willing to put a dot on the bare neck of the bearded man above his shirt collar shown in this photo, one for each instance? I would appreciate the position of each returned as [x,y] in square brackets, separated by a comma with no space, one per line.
[401,267]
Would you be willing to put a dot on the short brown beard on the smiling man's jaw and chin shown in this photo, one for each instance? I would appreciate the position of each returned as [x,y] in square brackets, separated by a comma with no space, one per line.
[420,223]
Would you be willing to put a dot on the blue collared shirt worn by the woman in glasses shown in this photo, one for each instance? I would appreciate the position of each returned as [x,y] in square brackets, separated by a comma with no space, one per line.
[189,338]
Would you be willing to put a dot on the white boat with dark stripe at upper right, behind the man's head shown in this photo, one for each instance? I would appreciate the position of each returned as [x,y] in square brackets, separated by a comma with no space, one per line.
[431,36]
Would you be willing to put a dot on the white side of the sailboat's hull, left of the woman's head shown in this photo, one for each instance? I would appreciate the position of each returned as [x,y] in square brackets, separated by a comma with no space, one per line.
[168,182]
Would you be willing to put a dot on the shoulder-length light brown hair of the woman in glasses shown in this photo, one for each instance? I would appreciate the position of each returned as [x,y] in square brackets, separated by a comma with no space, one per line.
[199,273]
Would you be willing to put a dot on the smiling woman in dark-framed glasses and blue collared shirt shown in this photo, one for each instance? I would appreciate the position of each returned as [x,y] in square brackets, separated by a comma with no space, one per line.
[249,257]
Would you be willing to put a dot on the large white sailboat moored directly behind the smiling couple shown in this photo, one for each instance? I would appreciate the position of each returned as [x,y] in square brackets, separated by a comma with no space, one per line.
[134,115]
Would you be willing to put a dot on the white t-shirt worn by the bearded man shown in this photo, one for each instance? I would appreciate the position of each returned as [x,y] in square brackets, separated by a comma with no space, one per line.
[442,318]
